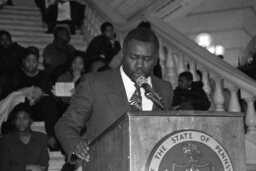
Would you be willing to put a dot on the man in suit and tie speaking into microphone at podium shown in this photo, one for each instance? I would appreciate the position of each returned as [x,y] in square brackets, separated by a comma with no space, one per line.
[101,98]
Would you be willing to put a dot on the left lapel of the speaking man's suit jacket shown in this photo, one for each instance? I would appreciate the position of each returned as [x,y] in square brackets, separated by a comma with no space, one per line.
[116,94]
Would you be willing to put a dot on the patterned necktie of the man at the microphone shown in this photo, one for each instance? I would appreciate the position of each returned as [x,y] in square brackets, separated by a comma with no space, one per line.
[136,100]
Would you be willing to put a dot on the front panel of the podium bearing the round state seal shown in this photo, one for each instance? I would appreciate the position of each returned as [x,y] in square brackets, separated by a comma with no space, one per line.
[187,143]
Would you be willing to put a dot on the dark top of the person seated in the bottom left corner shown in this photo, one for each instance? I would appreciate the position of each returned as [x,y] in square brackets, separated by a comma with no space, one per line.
[15,155]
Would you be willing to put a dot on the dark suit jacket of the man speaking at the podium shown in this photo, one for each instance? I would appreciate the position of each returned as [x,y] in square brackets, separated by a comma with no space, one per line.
[99,101]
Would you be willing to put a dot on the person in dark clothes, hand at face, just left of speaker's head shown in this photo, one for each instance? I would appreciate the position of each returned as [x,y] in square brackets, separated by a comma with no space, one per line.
[104,46]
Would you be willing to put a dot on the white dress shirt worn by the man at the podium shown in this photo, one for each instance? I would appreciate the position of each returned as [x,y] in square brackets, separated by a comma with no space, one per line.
[129,85]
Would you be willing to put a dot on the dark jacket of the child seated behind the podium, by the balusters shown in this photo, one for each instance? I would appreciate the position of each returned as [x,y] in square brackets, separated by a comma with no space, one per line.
[193,98]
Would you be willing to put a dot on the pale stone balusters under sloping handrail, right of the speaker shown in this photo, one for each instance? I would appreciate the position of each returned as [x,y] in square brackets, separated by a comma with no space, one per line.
[173,63]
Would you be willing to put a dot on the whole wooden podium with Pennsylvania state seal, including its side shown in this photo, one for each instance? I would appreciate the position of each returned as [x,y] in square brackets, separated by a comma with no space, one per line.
[171,141]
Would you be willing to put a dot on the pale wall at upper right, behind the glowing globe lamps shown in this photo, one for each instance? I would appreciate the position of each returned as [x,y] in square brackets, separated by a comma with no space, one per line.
[231,23]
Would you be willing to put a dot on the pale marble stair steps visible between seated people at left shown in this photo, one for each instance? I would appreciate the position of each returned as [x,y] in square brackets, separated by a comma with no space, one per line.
[26,29]
